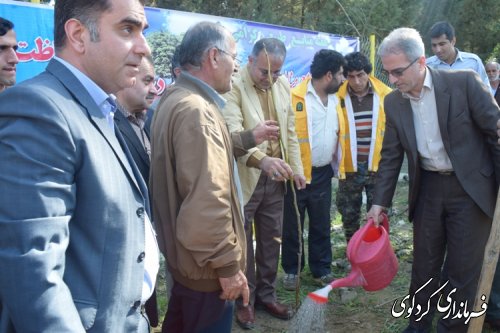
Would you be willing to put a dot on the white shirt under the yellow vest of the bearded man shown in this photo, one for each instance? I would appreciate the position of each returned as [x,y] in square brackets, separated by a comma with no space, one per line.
[325,127]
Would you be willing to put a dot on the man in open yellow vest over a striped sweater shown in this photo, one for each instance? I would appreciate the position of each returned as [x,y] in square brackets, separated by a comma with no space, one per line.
[361,130]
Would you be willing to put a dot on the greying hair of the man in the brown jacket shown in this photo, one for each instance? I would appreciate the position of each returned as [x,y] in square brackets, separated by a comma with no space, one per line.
[198,39]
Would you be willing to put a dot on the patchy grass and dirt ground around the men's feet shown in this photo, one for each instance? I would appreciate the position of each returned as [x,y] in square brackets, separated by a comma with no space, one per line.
[354,311]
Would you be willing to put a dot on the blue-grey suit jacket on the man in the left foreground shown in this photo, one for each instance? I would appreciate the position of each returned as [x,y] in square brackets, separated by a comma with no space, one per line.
[71,213]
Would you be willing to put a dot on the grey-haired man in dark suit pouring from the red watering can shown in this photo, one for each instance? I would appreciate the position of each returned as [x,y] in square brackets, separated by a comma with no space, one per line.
[445,123]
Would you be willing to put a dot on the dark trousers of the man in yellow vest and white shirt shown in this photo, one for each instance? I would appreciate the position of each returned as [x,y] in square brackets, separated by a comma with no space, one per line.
[316,198]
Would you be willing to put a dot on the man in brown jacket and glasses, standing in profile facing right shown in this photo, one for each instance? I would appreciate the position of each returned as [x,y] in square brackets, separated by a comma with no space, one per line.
[195,187]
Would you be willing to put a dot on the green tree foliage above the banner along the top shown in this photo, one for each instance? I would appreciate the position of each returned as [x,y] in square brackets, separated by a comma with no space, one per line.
[477,22]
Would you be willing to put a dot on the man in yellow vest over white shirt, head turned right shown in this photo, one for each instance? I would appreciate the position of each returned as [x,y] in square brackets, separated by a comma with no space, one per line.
[316,125]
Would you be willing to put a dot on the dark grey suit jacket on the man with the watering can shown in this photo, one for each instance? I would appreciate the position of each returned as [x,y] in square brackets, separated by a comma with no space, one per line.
[467,116]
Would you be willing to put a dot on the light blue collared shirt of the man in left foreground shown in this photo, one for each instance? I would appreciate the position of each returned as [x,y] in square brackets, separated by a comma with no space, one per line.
[152,259]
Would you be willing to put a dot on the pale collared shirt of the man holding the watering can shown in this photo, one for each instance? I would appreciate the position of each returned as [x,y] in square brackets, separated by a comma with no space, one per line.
[433,156]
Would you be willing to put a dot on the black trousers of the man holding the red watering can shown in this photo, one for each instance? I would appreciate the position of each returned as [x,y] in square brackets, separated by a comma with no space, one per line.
[446,222]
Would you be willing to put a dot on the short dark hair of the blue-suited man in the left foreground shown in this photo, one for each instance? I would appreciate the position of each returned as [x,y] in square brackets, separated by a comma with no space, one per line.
[87,12]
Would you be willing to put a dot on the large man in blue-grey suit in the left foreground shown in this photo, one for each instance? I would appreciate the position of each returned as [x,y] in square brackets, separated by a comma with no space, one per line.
[77,249]
